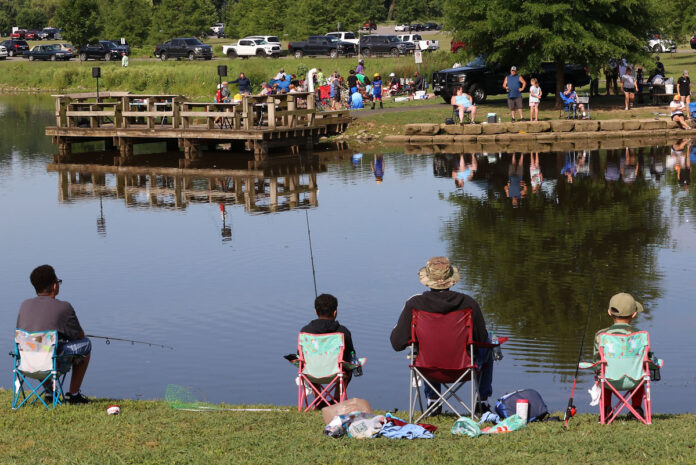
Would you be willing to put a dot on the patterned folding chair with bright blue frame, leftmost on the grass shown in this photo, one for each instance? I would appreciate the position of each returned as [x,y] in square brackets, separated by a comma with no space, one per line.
[35,358]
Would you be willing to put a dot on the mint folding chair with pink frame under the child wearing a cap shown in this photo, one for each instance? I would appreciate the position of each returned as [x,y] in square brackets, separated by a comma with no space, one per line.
[624,365]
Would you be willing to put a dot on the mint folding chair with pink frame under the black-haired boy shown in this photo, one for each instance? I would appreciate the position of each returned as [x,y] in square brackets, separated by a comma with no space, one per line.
[320,364]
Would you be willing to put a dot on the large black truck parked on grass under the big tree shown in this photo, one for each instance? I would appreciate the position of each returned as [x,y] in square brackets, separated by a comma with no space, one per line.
[480,79]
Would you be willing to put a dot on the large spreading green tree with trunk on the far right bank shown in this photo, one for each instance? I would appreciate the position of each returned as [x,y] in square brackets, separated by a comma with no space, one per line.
[529,32]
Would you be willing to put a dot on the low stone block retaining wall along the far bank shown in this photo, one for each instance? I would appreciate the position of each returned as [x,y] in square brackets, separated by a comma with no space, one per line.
[543,132]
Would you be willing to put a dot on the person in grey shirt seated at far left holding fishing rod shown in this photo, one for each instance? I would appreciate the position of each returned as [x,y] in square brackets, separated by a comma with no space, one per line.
[45,313]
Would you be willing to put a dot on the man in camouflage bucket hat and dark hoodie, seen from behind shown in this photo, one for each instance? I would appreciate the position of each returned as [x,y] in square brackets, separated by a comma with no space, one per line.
[439,276]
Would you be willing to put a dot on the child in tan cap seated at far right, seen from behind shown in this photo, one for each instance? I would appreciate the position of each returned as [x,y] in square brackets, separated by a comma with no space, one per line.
[623,308]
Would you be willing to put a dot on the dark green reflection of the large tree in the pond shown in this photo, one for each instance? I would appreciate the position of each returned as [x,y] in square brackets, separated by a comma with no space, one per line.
[532,268]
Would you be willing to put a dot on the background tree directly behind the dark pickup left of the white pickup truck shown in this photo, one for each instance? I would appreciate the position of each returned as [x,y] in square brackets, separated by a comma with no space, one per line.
[182,18]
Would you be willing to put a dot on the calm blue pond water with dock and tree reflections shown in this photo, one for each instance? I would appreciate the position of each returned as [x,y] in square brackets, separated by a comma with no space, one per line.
[215,265]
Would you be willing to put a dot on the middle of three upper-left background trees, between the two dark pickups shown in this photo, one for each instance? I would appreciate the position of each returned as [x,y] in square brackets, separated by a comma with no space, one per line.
[127,18]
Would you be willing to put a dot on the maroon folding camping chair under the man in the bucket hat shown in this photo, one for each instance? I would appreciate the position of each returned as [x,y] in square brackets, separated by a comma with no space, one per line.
[442,351]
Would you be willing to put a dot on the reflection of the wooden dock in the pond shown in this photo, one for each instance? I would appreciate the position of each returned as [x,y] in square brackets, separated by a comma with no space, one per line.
[282,185]
